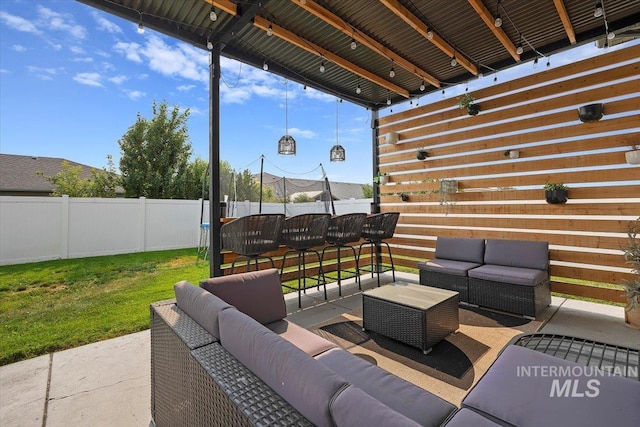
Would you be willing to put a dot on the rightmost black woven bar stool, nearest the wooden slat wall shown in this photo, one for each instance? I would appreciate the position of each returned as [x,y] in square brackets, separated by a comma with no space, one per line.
[377,228]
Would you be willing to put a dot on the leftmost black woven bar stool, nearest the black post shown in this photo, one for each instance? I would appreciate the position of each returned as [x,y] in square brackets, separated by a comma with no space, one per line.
[252,236]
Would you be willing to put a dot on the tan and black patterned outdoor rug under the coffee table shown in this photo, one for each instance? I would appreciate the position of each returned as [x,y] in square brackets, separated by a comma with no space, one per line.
[454,364]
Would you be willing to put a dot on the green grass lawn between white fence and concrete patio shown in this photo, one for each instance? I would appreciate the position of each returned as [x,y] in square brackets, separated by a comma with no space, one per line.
[54,305]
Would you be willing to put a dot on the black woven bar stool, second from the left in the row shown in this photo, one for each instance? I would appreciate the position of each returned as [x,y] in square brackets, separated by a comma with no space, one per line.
[301,233]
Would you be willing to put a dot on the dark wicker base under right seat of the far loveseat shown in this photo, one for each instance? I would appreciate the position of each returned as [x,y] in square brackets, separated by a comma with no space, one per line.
[518,299]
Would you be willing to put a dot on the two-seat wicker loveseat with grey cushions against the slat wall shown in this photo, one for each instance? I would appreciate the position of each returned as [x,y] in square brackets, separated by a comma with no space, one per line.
[505,275]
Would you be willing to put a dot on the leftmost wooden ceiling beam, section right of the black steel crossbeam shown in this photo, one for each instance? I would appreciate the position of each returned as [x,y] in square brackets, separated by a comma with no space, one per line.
[310,47]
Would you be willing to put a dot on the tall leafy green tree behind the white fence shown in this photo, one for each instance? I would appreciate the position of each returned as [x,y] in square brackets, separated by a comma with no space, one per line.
[155,154]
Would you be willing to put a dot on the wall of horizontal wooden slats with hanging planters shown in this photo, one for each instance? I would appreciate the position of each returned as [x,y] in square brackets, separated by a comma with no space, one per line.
[500,197]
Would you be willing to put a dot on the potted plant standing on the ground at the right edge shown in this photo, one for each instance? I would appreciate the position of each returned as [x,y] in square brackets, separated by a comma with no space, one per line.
[632,287]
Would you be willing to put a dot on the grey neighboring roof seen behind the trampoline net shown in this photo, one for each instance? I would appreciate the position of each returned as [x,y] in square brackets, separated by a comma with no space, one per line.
[339,190]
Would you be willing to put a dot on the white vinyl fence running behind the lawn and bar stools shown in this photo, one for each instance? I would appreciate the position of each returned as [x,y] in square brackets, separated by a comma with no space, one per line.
[45,228]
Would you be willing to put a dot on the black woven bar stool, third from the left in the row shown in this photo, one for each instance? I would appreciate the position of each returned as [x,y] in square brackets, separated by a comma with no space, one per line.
[344,229]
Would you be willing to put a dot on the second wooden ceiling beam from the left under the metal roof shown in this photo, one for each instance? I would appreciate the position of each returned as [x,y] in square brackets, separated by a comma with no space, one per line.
[341,25]
